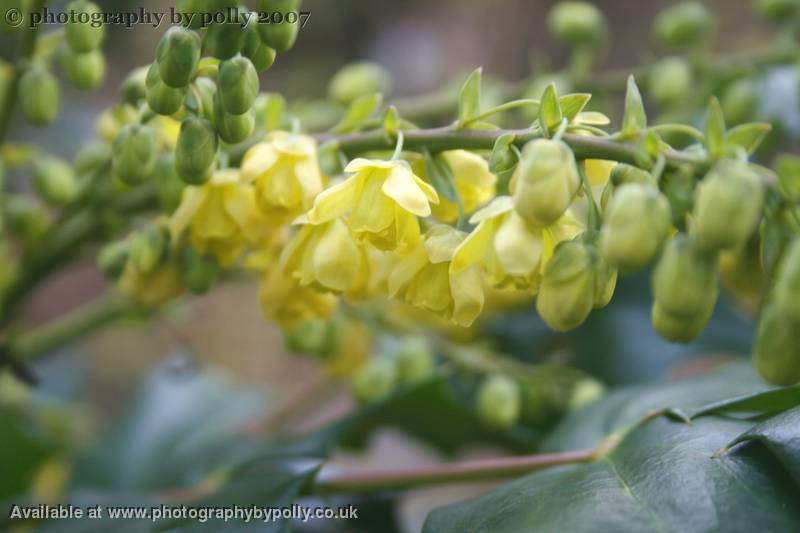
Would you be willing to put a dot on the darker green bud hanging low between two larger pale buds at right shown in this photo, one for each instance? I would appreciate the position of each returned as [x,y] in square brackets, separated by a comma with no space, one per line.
[685,280]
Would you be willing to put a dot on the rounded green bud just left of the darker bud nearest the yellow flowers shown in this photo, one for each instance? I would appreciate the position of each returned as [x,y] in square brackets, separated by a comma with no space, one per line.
[134,154]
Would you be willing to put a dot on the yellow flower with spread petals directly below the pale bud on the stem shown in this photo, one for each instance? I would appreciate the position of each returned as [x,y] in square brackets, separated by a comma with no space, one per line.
[511,251]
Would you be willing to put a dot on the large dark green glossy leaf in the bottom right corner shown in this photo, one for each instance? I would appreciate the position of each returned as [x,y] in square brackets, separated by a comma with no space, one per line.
[664,475]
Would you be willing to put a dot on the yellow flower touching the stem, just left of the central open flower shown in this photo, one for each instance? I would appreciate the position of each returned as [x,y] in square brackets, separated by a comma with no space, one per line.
[285,173]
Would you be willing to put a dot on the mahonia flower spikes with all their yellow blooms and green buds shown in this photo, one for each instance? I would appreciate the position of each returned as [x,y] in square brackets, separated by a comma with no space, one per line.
[378,230]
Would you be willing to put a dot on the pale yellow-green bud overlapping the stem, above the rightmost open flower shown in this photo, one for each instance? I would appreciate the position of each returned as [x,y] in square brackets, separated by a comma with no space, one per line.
[545,182]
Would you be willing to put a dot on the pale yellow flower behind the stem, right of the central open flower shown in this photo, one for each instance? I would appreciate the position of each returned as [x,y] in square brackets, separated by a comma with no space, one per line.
[472,179]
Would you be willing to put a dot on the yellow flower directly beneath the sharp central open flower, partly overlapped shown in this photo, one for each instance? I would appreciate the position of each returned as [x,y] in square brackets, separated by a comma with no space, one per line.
[328,257]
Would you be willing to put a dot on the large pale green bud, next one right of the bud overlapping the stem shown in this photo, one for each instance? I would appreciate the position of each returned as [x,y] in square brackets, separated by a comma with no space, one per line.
[637,221]
